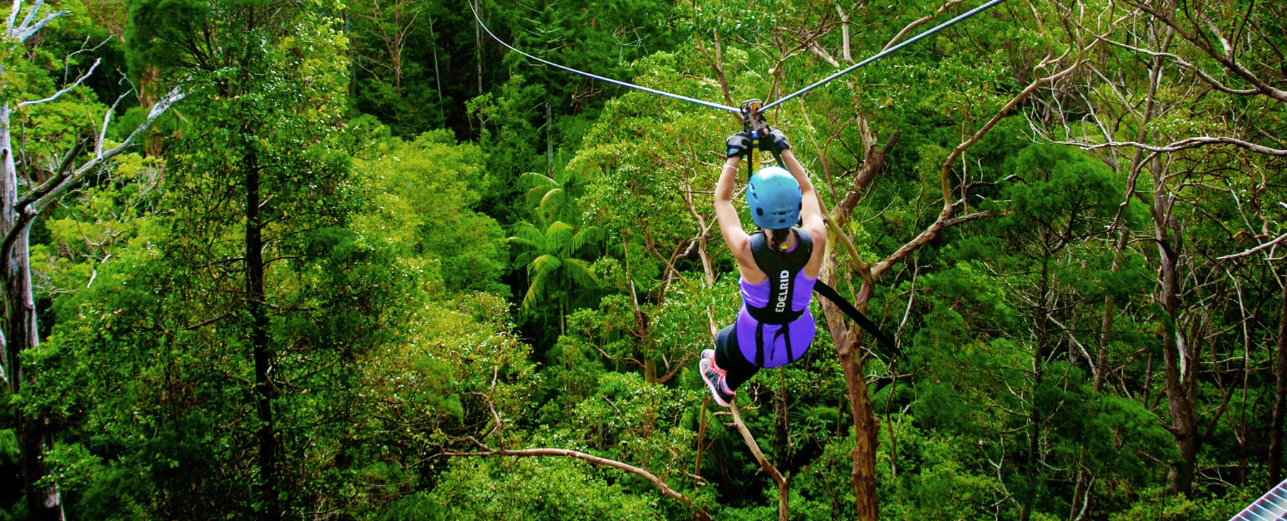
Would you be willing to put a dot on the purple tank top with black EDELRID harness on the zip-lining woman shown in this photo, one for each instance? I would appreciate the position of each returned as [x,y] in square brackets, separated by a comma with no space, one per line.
[775,326]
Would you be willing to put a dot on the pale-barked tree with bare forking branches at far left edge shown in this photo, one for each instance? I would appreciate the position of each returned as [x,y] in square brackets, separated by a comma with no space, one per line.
[68,140]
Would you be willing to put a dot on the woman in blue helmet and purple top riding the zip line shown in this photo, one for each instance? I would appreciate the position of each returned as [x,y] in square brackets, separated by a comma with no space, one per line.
[779,266]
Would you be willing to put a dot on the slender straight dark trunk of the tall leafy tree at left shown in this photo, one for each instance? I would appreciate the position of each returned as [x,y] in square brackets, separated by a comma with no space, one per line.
[258,308]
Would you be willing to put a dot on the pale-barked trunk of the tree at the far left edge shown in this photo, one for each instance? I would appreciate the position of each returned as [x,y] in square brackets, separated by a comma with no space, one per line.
[21,335]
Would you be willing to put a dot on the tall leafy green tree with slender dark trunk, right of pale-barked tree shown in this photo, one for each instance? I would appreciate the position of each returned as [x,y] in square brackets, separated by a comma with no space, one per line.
[270,196]
